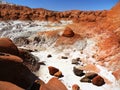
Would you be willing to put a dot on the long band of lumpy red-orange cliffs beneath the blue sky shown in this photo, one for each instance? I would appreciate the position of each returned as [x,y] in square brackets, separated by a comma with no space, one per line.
[14,12]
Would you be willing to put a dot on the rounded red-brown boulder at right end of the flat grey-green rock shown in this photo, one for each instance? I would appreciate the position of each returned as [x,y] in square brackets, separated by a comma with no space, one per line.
[98,81]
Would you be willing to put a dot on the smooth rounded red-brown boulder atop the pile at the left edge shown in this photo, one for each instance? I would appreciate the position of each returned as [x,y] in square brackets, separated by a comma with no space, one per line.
[7,46]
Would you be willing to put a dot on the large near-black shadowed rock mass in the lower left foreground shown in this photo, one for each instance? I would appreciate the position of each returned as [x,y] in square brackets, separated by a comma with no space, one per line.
[16,73]
